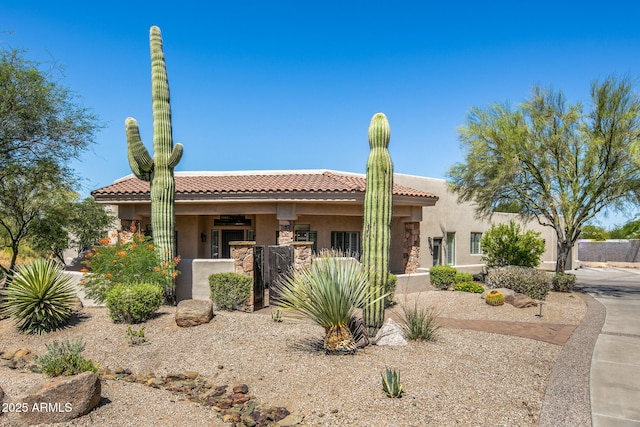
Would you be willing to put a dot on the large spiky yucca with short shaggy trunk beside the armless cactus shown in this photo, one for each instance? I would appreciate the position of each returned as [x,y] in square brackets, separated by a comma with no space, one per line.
[329,292]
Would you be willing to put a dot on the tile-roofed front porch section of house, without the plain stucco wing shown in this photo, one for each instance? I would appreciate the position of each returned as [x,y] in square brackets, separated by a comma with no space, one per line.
[272,208]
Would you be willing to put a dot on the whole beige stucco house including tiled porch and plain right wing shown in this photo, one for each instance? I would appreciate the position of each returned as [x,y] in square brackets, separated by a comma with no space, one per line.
[429,225]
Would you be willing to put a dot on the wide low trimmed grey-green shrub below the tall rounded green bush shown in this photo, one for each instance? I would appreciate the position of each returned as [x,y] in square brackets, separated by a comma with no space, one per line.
[529,281]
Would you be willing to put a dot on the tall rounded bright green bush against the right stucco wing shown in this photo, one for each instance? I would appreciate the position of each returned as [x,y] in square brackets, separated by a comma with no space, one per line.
[505,244]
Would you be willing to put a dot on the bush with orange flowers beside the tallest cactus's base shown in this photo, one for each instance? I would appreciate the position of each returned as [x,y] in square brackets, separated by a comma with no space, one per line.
[132,259]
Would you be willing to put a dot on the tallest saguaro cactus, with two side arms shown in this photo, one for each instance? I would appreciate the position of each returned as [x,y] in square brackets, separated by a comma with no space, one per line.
[159,169]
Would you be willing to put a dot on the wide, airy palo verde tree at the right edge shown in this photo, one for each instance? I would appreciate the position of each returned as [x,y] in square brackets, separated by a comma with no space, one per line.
[555,162]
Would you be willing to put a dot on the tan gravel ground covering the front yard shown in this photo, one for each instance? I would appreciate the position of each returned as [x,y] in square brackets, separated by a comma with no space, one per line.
[465,378]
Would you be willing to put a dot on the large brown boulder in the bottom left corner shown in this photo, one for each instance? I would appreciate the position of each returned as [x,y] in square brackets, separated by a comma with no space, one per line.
[62,399]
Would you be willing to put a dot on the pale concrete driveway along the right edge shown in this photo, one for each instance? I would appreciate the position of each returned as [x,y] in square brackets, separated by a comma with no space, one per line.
[615,365]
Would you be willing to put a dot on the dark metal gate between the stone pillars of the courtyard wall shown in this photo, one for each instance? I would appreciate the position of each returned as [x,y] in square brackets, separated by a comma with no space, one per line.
[270,263]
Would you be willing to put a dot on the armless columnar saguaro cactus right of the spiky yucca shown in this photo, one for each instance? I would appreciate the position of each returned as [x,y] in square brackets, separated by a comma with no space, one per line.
[376,229]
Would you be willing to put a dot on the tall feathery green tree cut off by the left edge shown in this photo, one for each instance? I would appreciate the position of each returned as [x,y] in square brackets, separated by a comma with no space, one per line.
[42,128]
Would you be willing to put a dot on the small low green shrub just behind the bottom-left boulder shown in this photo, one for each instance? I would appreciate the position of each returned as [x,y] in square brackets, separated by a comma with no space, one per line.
[64,359]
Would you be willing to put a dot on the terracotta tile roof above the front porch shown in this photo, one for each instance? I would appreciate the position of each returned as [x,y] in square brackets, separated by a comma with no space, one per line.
[253,183]
